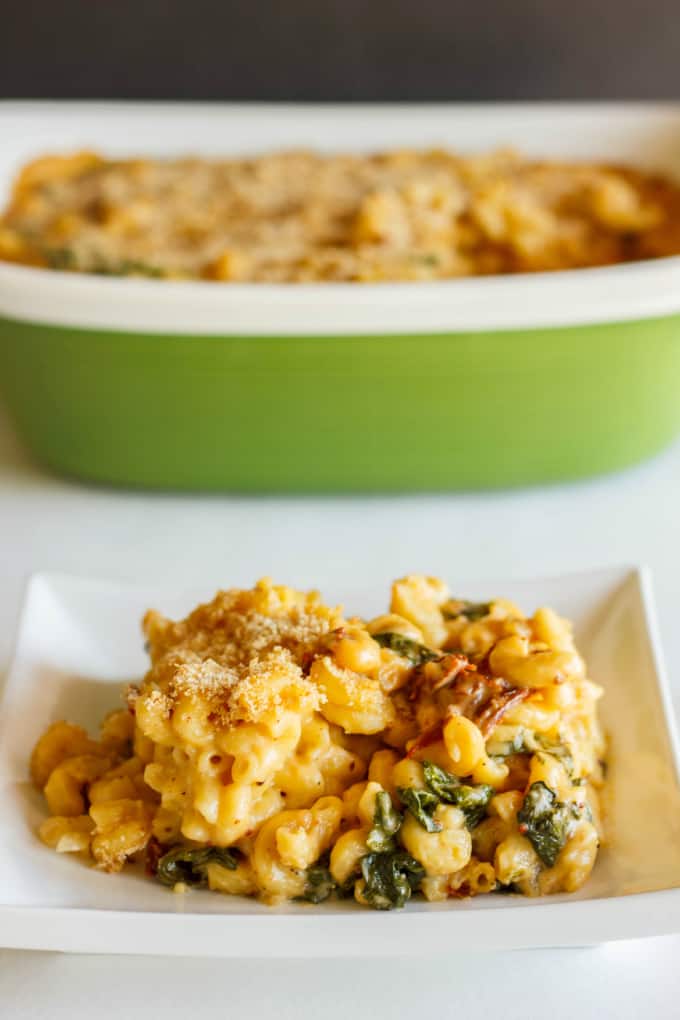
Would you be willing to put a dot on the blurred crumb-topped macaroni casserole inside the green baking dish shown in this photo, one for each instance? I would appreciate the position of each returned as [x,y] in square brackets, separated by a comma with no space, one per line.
[306,217]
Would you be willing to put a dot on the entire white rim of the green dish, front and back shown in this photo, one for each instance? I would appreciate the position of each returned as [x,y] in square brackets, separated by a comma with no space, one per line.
[579,297]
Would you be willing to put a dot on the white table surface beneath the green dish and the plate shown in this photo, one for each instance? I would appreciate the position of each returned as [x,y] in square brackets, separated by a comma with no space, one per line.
[47,524]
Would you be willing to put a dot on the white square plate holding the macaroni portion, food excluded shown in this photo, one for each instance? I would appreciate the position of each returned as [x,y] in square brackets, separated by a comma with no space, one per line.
[80,642]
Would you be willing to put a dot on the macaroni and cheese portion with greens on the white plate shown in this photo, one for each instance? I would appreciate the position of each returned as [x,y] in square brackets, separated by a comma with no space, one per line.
[280,749]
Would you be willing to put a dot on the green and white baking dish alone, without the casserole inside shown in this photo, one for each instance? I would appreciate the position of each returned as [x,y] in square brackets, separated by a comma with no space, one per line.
[466,384]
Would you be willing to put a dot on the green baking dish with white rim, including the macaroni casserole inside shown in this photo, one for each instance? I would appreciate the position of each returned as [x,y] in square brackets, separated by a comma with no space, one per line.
[340,298]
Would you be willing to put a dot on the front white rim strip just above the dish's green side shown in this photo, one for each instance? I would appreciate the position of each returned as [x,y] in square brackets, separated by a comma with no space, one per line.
[571,298]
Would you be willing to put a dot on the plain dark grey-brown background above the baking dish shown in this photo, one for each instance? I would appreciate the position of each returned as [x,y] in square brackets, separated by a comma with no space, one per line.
[340,49]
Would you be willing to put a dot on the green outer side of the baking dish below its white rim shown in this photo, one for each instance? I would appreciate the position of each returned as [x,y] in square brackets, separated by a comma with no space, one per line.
[367,414]
